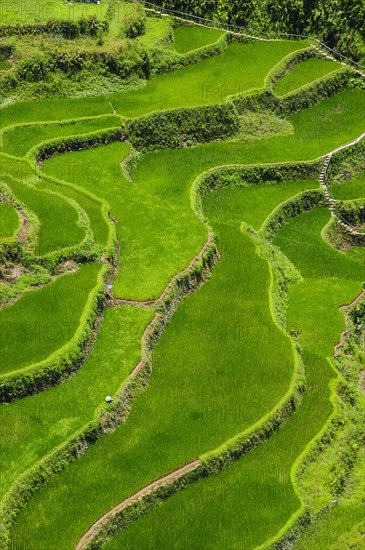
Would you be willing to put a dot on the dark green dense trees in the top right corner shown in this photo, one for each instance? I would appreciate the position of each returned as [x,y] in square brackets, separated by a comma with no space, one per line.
[338,24]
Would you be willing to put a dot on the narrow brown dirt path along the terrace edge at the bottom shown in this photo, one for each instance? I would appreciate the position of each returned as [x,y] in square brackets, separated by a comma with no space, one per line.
[147,490]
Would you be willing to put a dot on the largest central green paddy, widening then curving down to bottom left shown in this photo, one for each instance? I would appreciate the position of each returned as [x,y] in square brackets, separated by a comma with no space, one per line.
[233,305]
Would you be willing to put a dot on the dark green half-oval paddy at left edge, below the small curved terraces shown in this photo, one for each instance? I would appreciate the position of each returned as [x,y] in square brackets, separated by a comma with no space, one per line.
[43,320]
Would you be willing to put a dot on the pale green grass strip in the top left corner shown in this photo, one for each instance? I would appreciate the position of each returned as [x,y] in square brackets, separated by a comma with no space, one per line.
[27,12]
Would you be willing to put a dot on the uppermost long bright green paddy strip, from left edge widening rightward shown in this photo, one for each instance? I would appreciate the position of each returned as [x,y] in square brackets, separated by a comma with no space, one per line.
[241,67]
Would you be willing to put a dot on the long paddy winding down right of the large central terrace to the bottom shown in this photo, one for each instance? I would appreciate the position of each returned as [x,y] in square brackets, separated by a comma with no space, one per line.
[248,502]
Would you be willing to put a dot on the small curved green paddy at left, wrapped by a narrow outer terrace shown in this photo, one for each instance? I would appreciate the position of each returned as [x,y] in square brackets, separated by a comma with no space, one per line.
[58,220]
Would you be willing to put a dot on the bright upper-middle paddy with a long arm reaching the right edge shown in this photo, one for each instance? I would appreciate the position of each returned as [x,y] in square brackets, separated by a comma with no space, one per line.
[157,228]
